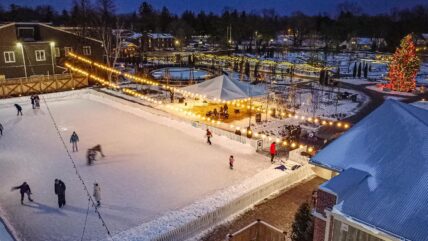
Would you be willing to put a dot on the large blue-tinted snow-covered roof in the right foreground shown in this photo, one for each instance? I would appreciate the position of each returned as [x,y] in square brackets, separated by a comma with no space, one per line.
[383,162]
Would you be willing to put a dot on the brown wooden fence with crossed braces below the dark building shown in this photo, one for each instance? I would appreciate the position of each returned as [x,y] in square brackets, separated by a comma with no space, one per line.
[41,84]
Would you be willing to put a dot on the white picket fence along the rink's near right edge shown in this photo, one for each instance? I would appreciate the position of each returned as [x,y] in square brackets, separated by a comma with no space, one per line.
[221,214]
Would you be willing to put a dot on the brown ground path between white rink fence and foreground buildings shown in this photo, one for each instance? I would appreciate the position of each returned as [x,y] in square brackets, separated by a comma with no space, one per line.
[279,211]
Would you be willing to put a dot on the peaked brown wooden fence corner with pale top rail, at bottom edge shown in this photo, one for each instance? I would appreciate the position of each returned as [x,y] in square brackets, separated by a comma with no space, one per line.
[258,231]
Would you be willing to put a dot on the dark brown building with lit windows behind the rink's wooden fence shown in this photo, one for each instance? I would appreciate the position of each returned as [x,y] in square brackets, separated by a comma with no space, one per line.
[34,49]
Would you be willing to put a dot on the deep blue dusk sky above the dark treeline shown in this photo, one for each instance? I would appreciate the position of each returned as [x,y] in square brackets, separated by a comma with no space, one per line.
[282,6]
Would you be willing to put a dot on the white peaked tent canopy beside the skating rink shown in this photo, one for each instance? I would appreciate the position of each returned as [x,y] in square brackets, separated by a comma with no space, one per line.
[225,88]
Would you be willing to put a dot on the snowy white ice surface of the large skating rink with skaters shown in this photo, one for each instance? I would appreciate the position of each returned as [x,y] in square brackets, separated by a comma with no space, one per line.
[150,168]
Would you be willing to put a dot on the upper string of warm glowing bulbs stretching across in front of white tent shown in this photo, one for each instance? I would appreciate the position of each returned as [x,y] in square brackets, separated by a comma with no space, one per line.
[241,103]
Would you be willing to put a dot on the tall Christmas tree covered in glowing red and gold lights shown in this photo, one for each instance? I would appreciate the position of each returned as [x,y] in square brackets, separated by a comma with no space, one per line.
[404,67]
